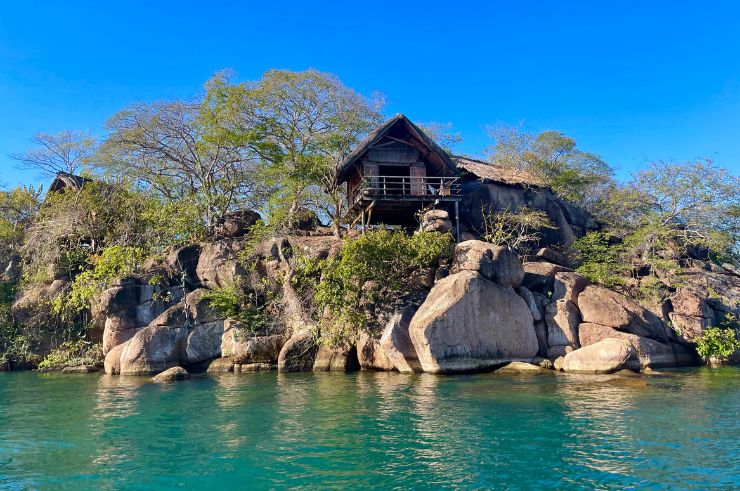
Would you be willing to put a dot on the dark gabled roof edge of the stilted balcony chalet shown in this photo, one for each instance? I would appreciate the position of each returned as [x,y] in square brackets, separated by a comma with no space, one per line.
[429,149]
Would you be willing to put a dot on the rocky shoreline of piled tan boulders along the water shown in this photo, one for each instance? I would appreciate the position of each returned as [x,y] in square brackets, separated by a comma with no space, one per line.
[481,311]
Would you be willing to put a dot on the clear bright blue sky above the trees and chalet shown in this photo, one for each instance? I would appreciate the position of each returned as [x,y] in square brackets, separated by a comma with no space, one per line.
[631,81]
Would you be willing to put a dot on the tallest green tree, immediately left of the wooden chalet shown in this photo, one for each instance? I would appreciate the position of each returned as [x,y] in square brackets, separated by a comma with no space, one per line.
[302,125]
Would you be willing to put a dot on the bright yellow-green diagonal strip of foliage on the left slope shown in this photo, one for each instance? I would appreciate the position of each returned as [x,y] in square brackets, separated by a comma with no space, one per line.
[113,263]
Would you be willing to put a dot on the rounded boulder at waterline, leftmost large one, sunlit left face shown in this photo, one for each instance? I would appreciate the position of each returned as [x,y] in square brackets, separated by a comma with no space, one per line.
[152,350]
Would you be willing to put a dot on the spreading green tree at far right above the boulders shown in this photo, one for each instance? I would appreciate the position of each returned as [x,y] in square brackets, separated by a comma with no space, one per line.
[663,214]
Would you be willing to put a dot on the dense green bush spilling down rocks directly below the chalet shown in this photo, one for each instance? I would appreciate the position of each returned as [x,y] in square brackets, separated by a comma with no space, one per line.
[369,269]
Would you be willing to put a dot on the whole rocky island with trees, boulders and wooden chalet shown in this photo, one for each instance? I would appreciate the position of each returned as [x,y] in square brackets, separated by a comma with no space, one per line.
[279,225]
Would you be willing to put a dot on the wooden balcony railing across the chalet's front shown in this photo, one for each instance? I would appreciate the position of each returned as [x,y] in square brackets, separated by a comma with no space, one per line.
[390,187]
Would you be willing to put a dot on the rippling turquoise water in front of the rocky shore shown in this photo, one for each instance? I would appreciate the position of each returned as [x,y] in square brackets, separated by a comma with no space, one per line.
[371,430]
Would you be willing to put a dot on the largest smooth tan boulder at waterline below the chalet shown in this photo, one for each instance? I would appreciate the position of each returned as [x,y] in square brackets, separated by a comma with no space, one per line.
[470,323]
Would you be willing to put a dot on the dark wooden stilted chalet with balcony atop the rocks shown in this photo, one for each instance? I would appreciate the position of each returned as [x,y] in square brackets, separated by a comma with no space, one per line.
[398,171]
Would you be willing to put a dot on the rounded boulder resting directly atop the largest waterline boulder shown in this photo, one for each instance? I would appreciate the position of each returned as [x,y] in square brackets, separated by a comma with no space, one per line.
[492,262]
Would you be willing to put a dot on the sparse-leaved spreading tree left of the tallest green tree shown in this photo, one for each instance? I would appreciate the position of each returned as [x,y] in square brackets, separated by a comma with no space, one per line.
[168,148]
